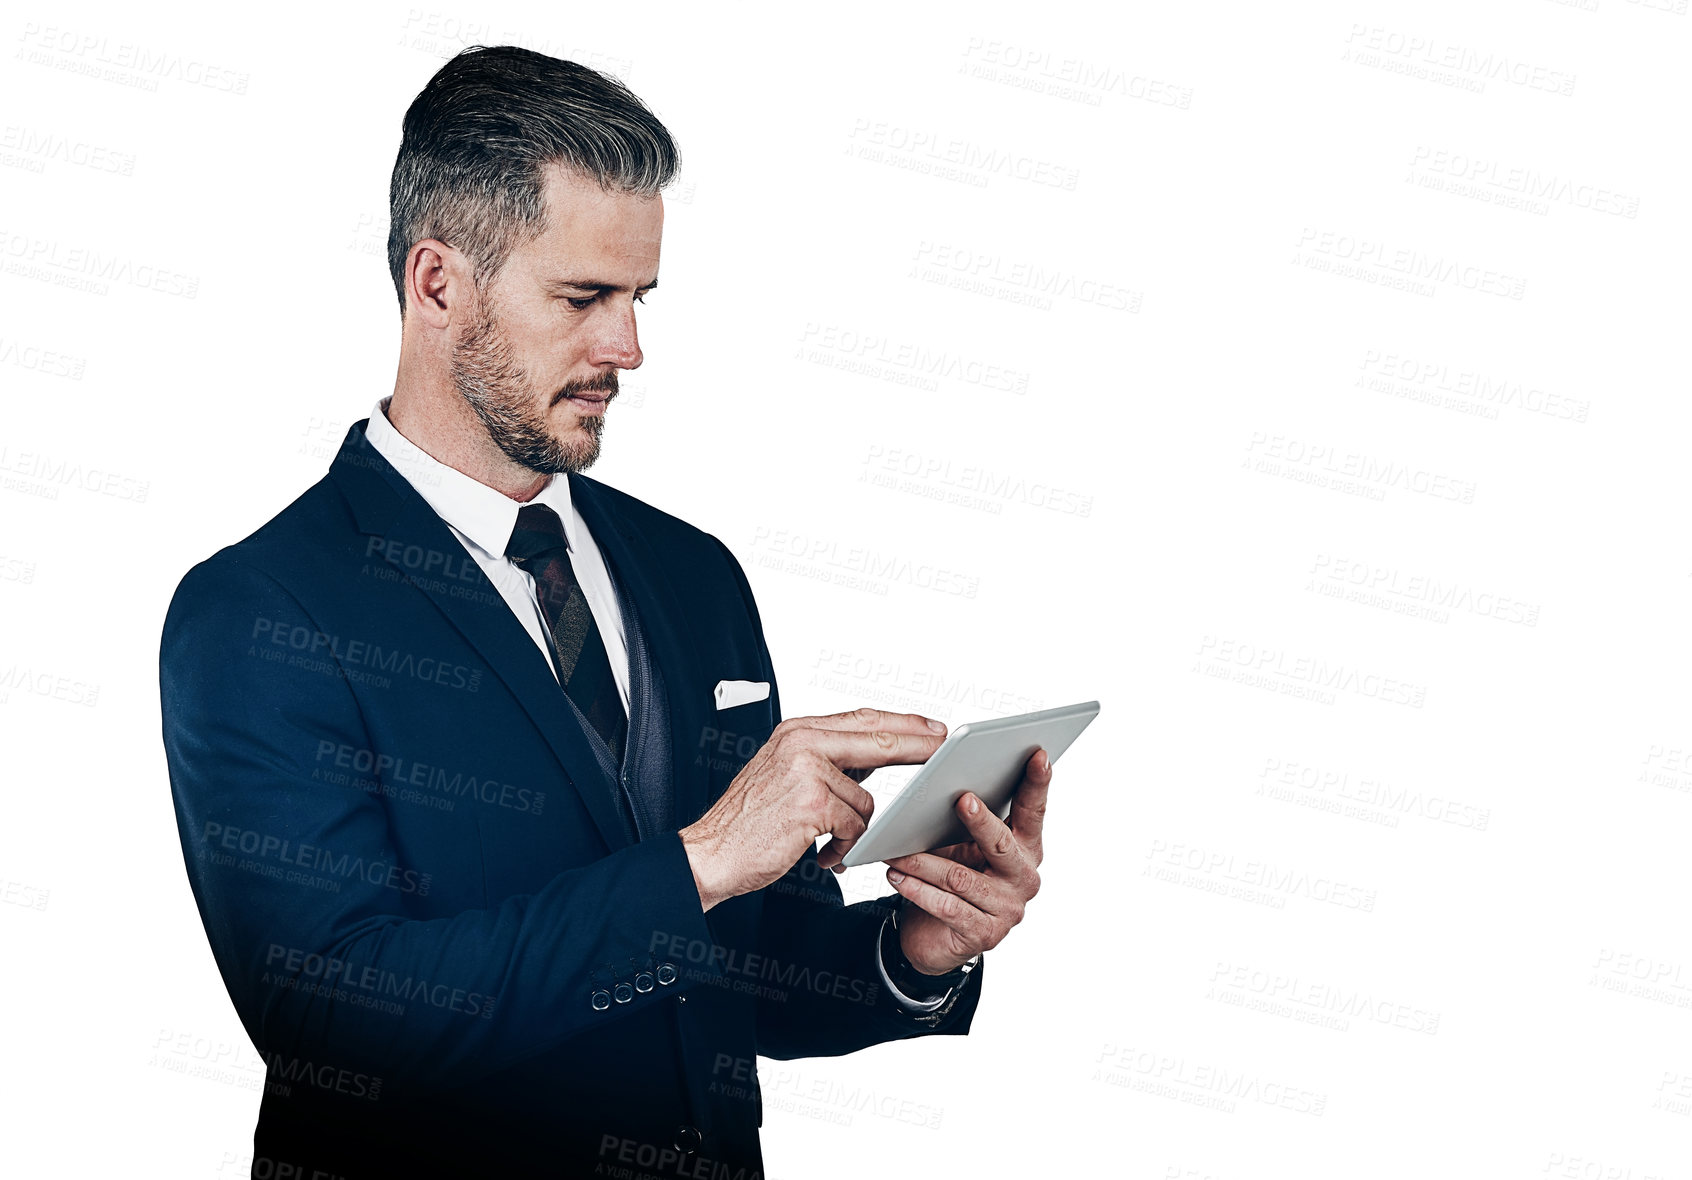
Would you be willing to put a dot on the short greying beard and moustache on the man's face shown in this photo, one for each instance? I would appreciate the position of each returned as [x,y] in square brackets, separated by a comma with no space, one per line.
[502,394]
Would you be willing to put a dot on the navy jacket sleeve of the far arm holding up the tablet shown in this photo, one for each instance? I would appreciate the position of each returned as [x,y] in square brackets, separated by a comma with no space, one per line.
[810,935]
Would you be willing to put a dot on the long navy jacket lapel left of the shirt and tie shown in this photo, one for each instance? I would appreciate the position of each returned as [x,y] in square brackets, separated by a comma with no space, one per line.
[390,509]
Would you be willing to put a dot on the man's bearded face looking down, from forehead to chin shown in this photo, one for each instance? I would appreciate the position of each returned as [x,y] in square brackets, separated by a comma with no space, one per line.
[541,356]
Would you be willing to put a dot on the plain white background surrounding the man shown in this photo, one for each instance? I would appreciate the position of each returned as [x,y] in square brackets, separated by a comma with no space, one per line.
[1025,355]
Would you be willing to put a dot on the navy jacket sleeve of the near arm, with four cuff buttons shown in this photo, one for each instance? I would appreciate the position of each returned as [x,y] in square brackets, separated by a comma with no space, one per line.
[321,974]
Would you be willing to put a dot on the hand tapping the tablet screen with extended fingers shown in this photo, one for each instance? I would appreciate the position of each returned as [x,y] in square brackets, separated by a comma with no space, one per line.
[796,790]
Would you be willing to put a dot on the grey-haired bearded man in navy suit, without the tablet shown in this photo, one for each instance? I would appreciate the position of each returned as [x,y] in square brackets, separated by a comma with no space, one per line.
[495,883]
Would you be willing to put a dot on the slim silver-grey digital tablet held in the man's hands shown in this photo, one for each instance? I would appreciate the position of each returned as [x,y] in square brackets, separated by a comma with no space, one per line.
[987,758]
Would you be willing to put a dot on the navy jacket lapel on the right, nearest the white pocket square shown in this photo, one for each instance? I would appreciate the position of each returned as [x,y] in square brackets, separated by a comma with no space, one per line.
[673,644]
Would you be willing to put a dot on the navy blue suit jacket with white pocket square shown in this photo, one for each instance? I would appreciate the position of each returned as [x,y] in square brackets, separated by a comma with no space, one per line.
[419,890]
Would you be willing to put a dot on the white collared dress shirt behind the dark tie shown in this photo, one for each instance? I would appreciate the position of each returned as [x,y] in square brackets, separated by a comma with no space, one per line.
[483,521]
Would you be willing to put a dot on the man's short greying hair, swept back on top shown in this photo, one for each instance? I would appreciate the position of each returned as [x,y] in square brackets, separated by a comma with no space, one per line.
[478,141]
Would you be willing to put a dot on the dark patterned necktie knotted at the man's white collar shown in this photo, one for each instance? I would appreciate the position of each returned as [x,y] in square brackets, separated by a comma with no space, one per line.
[585,670]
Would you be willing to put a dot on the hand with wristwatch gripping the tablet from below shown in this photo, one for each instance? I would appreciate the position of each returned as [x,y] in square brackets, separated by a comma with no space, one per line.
[965,898]
